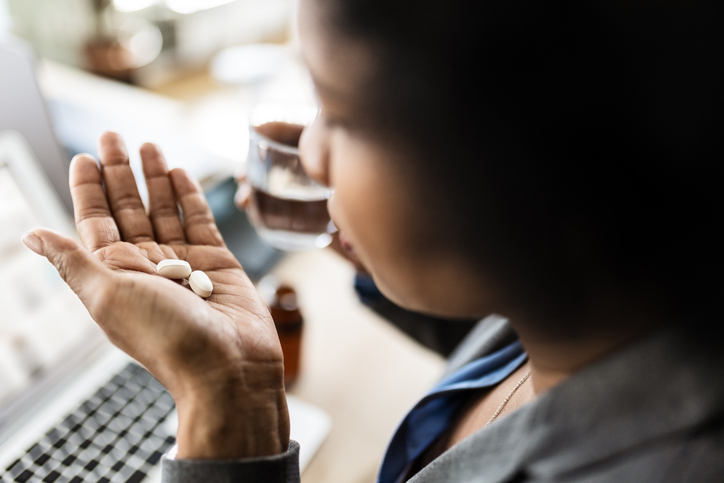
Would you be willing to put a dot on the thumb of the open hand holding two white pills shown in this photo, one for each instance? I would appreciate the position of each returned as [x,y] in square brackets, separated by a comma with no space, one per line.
[76,265]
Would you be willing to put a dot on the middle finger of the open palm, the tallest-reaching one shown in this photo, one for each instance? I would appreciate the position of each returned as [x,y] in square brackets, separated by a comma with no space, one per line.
[121,190]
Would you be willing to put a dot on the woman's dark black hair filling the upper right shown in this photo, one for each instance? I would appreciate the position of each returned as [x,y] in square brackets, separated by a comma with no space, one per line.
[566,141]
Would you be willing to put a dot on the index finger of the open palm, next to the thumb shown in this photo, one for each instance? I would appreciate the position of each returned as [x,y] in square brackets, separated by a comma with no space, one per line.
[96,227]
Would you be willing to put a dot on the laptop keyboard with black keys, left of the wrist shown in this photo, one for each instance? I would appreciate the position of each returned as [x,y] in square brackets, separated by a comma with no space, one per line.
[115,436]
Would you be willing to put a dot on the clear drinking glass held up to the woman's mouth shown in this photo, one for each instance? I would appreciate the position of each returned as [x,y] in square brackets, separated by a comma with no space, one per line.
[286,207]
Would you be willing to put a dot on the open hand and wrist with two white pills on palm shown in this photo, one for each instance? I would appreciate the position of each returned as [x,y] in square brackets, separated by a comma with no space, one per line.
[220,358]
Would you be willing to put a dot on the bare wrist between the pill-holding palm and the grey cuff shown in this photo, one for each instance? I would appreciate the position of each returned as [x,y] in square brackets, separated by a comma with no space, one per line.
[233,420]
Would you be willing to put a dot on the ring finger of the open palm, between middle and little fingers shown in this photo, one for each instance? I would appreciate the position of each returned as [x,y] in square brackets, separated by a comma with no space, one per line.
[162,203]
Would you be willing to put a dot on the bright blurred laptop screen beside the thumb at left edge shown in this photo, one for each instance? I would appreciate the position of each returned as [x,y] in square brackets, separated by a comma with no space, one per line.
[41,320]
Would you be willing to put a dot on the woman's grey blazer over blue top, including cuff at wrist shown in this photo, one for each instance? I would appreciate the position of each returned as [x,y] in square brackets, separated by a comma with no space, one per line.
[652,412]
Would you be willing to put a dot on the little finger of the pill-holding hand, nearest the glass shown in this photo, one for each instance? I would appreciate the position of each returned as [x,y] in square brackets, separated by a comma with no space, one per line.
[199,223]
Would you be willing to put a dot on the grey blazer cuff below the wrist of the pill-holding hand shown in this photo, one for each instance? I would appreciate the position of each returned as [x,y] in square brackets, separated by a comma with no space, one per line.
[281,468]
